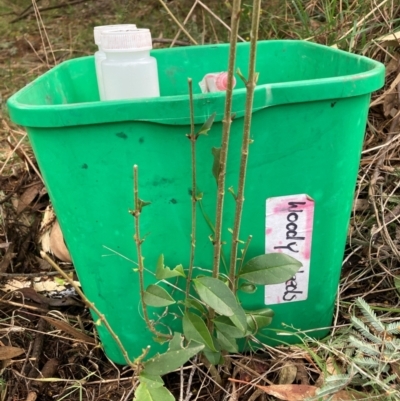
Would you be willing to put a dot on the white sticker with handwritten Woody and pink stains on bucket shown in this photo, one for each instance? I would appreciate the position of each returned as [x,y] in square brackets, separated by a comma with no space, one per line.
[288,229]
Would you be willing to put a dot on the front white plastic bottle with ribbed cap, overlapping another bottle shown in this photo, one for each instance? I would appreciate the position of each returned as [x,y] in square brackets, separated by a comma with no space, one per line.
[129,72]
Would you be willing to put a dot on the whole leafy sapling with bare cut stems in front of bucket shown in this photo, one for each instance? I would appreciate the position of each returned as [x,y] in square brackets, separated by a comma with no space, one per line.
[212,318]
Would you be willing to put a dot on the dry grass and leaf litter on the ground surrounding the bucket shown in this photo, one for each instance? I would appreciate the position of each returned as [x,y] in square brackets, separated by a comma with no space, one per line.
[79,369]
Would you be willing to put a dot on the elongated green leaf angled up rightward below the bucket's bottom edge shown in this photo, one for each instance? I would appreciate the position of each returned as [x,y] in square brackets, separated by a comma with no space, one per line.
[171,360]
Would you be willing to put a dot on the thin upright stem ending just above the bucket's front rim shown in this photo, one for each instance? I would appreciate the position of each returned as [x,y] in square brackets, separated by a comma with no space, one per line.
[193,140]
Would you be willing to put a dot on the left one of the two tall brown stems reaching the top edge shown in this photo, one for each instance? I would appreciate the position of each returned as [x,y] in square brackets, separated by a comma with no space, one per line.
[225,138]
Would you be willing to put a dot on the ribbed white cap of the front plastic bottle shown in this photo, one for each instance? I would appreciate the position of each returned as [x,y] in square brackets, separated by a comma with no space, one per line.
[125,40]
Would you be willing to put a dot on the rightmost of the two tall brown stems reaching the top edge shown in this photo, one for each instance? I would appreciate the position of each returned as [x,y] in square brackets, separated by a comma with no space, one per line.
[250,86]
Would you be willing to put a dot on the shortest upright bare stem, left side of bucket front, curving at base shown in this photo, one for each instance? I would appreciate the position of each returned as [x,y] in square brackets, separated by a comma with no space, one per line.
[138,242]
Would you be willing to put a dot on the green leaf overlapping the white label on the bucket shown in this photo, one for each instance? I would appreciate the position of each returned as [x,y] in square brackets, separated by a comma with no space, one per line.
[271,268]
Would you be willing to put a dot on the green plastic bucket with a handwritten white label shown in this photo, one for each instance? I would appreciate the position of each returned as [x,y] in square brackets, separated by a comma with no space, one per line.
[309,116]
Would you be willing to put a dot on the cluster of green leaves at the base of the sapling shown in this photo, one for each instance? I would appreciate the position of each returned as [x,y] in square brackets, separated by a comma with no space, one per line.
[201,333]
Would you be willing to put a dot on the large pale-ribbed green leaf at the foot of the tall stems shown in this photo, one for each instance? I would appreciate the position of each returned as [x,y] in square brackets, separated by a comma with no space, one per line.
[216,295]
